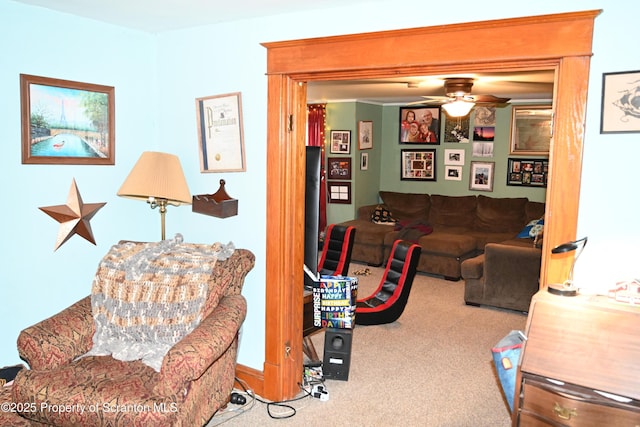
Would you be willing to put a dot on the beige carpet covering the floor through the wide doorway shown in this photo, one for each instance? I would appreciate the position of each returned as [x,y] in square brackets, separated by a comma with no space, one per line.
[433,367]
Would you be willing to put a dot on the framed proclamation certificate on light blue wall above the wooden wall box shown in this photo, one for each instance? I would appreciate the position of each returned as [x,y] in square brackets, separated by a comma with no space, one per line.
[220,133]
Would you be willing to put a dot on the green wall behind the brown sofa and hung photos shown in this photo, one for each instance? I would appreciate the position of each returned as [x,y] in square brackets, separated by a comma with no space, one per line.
[383,171]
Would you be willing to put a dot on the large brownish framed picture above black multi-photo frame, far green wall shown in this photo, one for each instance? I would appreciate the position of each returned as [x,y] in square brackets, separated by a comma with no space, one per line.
[531,129]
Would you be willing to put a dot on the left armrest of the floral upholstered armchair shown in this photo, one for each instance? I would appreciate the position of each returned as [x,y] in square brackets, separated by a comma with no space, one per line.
[60,338]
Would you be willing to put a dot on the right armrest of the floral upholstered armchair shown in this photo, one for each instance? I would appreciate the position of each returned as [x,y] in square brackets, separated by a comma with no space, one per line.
[192,356]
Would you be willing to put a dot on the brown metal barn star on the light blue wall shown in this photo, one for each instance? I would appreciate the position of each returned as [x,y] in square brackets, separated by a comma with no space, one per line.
[73,217]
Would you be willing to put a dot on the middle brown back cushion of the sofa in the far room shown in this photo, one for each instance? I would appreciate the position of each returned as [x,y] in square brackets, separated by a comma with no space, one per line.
[452,211]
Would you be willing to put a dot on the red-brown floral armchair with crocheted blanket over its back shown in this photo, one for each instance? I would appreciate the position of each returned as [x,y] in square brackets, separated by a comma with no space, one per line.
[153,345]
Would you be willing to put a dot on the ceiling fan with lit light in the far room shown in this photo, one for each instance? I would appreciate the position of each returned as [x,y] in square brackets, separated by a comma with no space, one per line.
[458,101]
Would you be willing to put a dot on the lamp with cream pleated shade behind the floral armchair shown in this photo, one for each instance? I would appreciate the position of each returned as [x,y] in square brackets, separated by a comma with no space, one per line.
[158,179]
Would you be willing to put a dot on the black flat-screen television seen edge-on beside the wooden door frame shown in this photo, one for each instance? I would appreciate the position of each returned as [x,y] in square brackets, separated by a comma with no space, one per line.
[312,211]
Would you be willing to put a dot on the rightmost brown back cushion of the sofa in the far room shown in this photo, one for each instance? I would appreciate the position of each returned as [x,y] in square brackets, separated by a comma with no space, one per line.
[499,215]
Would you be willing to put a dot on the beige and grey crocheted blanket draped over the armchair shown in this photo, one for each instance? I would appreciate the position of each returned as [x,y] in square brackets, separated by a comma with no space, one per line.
[147,296]
